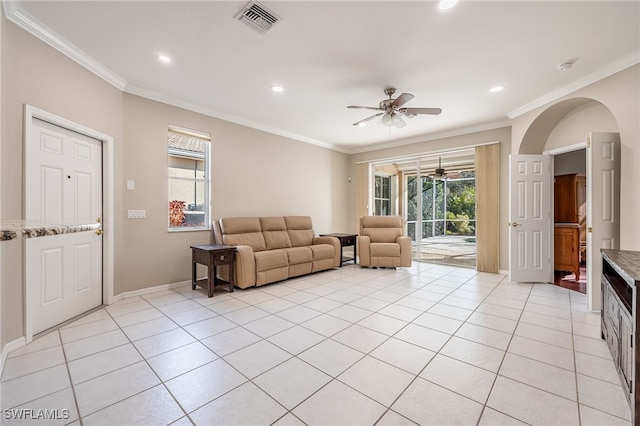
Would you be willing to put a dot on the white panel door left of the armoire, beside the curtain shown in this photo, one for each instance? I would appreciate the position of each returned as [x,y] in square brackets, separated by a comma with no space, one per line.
[530,218]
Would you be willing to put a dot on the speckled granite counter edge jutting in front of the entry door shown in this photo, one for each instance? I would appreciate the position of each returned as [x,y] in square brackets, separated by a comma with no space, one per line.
[13,229]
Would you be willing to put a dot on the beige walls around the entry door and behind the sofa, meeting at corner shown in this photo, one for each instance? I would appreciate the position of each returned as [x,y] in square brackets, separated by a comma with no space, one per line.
[254,173]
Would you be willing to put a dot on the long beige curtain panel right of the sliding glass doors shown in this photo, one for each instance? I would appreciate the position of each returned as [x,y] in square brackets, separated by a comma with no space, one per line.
[487,207]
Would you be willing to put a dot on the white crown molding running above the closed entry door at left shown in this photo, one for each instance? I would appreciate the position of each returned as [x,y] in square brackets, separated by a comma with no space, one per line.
[24,20]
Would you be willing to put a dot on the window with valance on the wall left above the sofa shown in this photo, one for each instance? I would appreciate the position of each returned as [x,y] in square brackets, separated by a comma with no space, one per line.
[189,179]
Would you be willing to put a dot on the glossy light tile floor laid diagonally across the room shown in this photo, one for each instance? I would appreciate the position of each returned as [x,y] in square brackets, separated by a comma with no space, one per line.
[429,344]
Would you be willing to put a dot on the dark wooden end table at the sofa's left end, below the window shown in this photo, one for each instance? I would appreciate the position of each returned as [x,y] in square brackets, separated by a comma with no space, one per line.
[212,256]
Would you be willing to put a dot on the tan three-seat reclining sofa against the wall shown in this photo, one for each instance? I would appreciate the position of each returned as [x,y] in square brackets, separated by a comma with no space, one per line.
[271,249]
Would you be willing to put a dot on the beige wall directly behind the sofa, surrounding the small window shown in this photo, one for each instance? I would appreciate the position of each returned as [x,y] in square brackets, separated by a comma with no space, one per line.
[253,174]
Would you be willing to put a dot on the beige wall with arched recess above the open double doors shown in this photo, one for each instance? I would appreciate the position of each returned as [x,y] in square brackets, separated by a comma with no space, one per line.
[619,96]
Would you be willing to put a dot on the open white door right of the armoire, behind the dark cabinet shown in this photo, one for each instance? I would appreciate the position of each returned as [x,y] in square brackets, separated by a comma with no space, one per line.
[603,207]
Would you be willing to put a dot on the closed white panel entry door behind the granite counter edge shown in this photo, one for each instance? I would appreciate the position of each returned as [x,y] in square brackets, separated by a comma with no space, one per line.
[63,186]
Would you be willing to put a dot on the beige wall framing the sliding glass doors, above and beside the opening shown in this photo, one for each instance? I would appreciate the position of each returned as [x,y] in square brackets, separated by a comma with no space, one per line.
[501,135]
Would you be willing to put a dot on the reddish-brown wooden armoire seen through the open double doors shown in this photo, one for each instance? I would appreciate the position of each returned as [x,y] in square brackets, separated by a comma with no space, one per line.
[570,236]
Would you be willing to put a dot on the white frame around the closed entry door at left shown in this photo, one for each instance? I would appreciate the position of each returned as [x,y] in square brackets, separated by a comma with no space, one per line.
[108,205]
